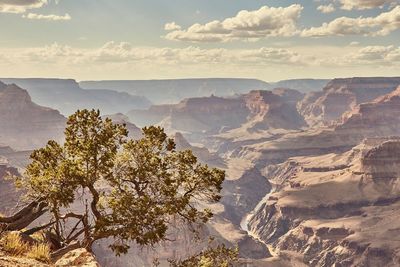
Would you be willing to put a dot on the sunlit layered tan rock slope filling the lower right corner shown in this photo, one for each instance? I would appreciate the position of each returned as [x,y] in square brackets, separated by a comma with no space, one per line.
[337,208]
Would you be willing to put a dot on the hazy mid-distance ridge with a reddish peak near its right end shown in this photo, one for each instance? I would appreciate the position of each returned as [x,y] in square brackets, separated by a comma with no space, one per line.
[256,111]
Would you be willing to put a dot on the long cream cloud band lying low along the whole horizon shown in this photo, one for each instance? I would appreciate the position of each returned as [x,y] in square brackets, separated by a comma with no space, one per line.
[122,60]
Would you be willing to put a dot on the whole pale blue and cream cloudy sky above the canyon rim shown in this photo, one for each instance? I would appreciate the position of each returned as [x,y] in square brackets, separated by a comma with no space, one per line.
[158,39]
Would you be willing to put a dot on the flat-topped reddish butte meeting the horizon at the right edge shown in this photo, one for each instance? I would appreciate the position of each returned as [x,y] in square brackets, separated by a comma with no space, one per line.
[342,95]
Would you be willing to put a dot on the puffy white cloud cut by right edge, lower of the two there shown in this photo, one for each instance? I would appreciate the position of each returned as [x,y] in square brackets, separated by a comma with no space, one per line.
[380,25]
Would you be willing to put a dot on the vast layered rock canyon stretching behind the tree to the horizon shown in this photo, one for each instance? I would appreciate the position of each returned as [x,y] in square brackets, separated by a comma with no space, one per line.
[312,173]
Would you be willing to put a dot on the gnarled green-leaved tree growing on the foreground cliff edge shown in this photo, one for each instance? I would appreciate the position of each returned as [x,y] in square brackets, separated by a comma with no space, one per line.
[129,190]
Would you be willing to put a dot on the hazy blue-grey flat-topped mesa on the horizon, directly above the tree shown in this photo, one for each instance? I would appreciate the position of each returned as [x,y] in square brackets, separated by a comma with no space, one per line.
[66,96]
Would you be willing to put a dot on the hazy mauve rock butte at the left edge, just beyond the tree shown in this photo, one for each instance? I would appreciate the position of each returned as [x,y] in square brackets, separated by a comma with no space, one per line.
[25,125]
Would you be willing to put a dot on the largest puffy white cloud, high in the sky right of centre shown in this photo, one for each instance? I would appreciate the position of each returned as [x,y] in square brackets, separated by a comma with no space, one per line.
[265,22]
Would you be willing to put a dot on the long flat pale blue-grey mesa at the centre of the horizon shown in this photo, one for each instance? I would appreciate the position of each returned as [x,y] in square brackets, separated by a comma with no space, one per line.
[173,91]
